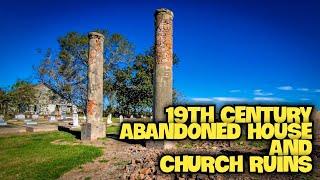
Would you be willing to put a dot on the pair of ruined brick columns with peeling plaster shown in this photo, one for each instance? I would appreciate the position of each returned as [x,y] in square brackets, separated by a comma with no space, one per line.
[94,127]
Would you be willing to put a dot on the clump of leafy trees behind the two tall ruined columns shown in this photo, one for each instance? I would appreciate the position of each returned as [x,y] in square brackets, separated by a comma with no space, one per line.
[128,77]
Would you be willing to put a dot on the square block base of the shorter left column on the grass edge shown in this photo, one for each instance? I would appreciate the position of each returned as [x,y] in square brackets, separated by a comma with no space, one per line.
[93,131]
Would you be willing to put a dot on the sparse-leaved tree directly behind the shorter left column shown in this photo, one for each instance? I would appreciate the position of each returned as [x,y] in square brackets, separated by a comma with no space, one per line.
[66,71]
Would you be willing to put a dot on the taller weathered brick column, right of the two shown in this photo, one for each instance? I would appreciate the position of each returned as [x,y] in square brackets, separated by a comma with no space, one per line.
[163,64]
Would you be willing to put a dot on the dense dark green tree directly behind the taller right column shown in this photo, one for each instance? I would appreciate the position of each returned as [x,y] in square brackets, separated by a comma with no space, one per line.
[134,85]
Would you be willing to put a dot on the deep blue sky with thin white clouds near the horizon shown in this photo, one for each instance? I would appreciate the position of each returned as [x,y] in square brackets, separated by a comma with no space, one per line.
[251,50]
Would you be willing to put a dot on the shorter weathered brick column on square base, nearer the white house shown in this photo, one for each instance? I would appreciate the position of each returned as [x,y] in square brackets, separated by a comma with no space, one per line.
[94,127]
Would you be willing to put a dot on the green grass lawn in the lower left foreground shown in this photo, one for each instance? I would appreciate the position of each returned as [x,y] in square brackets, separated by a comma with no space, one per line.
[33,156]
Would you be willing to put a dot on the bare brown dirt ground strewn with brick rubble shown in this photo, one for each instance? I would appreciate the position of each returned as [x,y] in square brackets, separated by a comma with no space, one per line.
[121,160]
